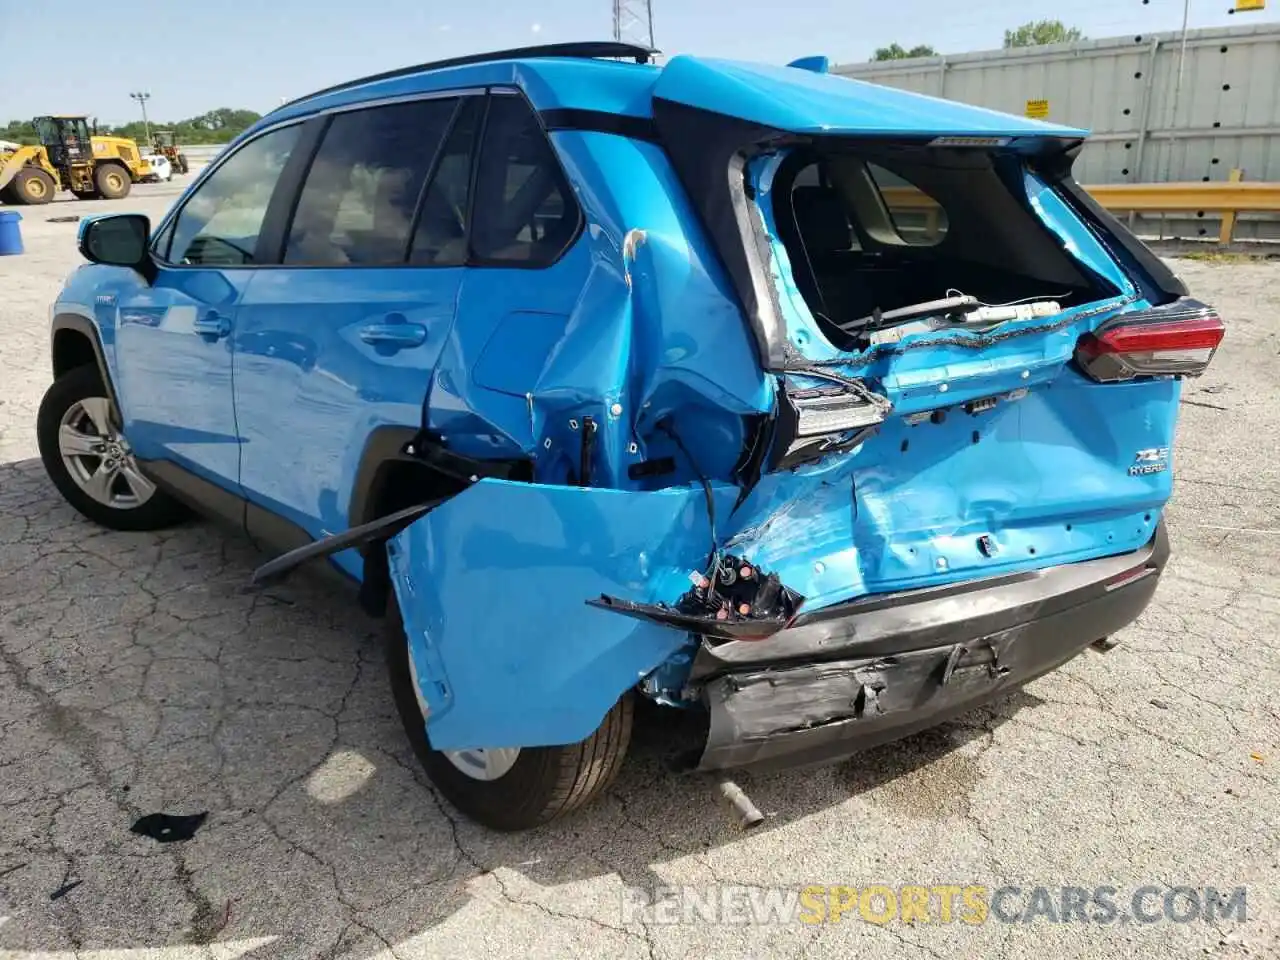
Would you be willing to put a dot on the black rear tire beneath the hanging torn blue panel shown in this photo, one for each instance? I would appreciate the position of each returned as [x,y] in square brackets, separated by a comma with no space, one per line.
[545,783]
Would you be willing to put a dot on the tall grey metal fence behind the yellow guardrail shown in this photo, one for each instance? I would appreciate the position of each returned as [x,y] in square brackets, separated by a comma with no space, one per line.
[1158,113]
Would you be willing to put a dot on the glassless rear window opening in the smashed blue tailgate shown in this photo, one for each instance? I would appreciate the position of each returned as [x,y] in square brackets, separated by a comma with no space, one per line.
[871,230]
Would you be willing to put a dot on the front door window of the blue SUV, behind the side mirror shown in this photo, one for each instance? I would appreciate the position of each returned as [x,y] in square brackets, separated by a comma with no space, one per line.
[220,225]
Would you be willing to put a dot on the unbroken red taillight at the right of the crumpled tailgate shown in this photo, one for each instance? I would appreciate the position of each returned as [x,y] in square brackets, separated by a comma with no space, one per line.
[1177,340]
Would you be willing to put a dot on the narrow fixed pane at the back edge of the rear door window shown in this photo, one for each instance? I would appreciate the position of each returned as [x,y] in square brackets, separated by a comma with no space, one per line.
[441,239]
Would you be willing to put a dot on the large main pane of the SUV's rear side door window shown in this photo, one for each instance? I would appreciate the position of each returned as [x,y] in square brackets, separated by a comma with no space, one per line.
[358,203]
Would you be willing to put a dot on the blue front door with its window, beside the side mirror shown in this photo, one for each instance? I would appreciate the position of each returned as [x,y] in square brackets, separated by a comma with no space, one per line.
[175,337]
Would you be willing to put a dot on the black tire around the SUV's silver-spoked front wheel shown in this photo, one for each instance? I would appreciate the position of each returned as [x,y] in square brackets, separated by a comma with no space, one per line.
[72,397]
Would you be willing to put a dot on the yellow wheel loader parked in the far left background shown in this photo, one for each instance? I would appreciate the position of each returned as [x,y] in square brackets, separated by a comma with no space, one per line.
[70,158]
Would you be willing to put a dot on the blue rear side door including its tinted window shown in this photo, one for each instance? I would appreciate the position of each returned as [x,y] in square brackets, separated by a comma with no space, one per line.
[342,337]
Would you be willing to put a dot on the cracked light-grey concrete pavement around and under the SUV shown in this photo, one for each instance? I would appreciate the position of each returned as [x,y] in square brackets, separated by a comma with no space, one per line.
[139,675]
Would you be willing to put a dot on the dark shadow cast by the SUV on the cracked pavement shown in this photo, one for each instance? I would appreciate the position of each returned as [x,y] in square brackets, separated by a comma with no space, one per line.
[140,674]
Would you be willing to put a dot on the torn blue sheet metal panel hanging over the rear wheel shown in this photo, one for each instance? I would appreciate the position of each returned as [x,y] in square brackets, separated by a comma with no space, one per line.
[493,589]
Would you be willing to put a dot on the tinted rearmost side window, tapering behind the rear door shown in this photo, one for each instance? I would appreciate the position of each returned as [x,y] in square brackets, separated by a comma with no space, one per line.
[524,212]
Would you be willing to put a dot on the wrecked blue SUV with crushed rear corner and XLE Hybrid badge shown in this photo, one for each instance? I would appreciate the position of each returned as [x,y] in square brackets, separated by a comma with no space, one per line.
[825,410]
